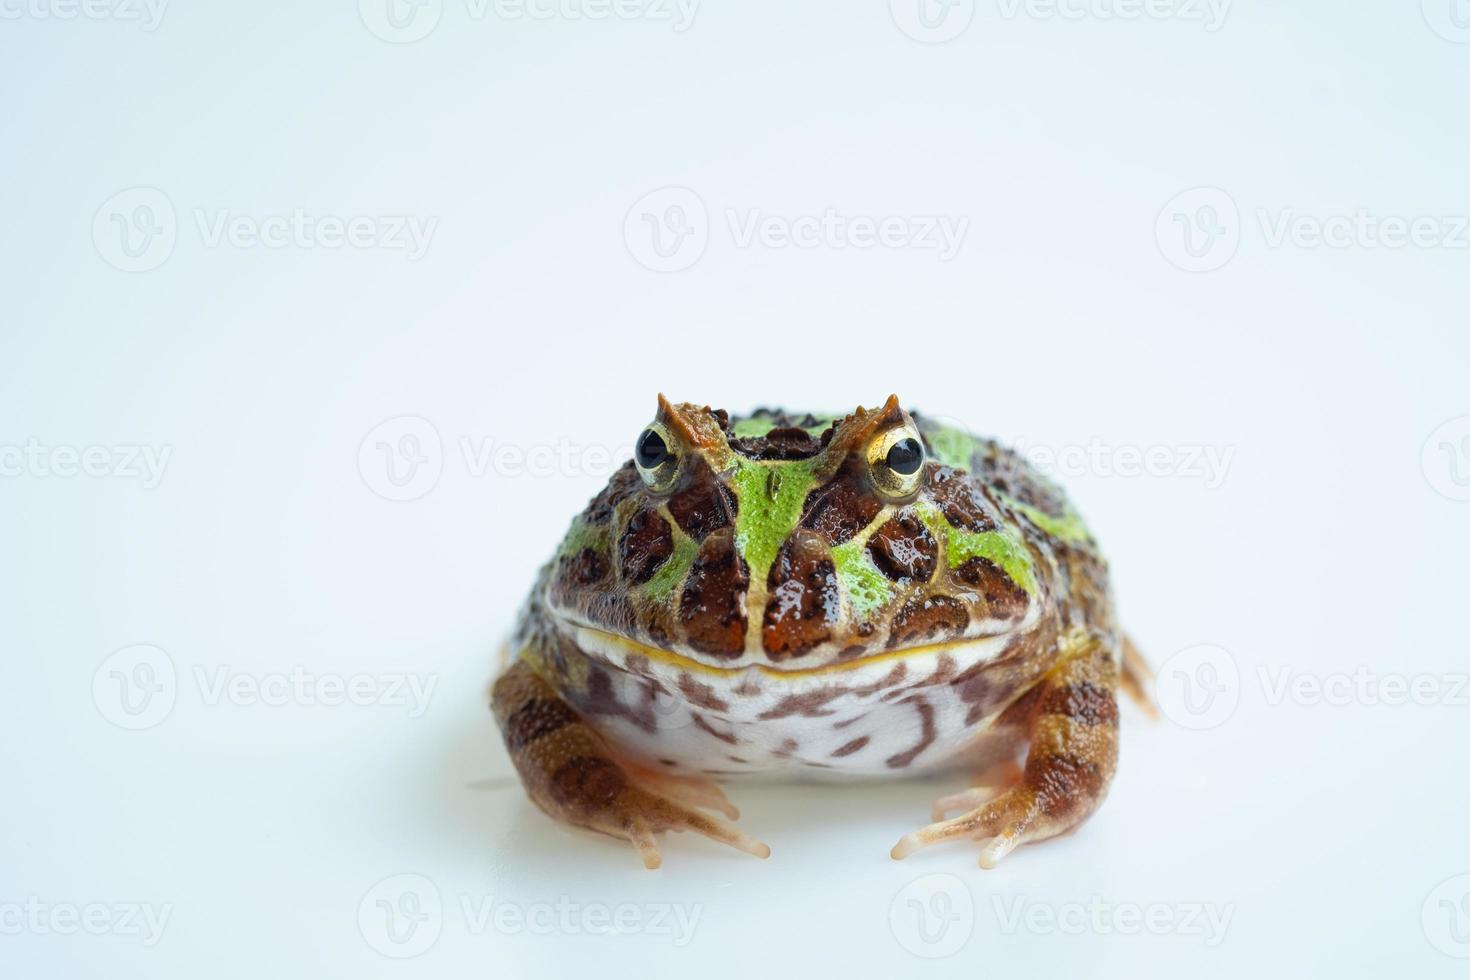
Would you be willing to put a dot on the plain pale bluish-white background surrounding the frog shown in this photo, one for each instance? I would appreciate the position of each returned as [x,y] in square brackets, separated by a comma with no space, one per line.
[1328,837]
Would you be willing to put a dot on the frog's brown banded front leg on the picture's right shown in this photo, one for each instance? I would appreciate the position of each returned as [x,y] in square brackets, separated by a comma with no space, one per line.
[1074,752]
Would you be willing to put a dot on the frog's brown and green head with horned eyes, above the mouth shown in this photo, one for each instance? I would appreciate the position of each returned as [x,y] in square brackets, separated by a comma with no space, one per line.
[793,543]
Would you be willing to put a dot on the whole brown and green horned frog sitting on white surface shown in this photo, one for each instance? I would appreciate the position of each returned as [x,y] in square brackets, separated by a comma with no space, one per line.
[871,596]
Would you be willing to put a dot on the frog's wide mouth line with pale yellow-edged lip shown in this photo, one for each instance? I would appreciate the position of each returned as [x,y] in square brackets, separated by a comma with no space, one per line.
[624,653]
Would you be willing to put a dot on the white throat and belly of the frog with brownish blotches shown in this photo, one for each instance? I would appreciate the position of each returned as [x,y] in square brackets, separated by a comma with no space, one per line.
[909,712]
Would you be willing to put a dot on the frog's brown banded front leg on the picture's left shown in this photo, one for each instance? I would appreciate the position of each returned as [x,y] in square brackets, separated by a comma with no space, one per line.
[571,774]
